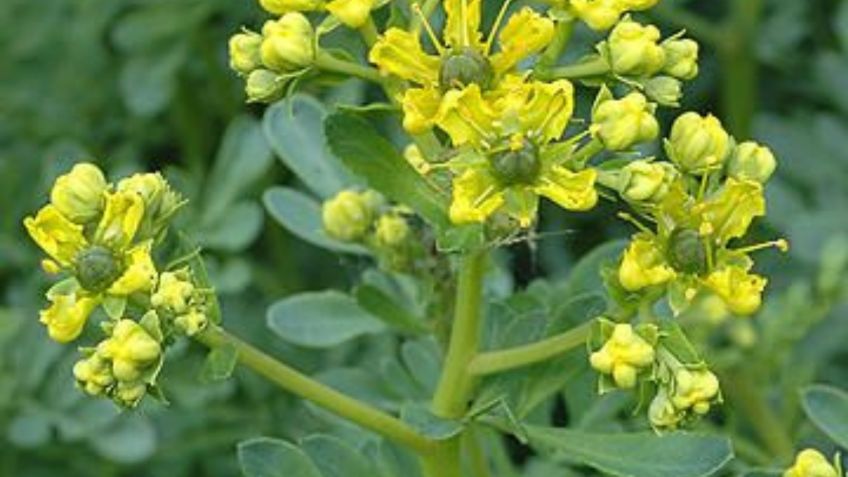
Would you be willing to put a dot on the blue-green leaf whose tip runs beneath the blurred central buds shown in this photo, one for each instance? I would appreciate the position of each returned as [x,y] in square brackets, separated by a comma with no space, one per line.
[301,215]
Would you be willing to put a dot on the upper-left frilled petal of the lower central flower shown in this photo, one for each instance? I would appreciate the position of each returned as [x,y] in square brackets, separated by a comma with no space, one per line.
[466,116]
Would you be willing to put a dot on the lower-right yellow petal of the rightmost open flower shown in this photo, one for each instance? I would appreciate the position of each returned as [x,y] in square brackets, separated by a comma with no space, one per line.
[740,290]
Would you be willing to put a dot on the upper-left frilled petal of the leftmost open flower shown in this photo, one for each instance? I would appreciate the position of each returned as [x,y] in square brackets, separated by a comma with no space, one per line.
[60,238]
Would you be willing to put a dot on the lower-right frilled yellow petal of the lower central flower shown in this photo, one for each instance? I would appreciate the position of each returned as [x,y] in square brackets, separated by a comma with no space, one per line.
[571,190]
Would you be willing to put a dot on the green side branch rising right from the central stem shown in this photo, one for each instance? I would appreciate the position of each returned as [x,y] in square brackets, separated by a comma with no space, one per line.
[498,361]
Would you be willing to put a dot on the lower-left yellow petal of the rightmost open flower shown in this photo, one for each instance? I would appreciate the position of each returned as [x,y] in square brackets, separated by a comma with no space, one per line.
[644,265]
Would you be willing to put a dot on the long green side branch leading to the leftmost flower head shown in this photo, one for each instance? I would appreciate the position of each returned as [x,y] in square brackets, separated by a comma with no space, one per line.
[307,388]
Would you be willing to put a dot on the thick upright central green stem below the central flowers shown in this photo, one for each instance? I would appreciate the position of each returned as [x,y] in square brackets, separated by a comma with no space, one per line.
[454,389]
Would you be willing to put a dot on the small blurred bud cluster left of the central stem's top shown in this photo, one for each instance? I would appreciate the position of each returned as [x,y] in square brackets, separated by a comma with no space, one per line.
[364,217]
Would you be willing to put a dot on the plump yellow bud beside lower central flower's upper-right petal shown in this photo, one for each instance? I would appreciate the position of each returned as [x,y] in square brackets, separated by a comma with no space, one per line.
[623,123]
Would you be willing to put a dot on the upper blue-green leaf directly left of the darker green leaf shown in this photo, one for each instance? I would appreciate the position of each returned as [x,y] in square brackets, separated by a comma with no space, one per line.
[295,129]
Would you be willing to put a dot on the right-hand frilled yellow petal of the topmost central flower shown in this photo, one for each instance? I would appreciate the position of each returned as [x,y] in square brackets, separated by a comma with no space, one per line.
[525,34]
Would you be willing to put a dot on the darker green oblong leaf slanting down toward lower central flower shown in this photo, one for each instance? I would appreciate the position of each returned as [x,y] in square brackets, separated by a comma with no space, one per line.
[369,155]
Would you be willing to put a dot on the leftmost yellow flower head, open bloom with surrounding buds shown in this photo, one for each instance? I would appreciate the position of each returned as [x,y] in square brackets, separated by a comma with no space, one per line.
[101,237]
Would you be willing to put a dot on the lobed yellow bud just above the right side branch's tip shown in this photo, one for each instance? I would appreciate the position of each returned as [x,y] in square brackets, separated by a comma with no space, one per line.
[623,356]
